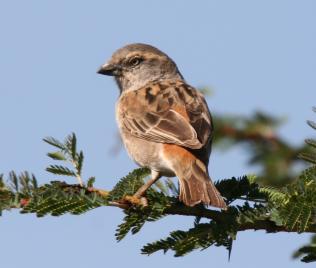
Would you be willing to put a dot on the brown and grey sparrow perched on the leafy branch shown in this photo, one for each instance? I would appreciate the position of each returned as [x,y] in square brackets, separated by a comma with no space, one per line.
[164,123]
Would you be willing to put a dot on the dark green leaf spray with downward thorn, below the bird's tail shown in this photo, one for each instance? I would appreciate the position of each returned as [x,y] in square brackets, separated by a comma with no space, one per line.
[203,235]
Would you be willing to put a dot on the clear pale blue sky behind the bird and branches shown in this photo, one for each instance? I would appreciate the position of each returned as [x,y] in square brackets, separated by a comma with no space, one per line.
[255,54]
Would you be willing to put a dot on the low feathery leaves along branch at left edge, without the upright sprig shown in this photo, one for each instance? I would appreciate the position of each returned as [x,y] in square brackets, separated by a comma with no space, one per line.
[54,198]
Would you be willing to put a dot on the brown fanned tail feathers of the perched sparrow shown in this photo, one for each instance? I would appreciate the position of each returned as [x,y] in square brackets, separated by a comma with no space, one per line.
[196,186]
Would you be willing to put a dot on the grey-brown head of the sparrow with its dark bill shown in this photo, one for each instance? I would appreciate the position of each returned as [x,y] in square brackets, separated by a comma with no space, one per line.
[135,65]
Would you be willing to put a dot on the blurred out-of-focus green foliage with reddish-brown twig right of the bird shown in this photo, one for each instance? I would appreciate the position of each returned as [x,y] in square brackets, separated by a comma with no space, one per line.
[274,155]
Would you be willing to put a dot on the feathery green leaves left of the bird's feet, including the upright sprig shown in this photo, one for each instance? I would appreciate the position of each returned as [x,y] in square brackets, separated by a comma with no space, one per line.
[55,198]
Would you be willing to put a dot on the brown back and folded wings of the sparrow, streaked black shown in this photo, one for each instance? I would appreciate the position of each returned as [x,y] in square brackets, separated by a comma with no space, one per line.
[172,113]
